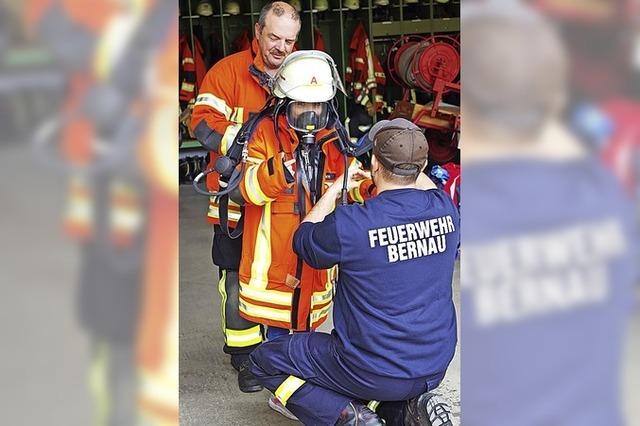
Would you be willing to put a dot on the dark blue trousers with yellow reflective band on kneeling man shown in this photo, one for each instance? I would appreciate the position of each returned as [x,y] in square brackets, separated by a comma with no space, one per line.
[305,372]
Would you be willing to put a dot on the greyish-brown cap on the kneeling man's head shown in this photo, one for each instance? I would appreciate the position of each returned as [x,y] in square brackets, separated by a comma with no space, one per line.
[399,145]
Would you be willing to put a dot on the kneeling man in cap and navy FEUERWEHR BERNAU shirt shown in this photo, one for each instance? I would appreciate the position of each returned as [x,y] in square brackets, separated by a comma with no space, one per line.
[394,318]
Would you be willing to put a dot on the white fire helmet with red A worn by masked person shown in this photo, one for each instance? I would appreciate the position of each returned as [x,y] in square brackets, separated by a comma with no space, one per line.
[307,76]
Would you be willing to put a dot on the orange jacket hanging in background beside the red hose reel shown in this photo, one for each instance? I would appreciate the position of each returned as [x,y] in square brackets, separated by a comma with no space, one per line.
[364,74]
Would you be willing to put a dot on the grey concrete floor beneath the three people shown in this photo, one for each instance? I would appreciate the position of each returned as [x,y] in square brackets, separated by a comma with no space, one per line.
[208,386]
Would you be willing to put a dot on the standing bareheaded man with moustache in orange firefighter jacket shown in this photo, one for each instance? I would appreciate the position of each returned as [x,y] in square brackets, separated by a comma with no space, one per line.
[234,89]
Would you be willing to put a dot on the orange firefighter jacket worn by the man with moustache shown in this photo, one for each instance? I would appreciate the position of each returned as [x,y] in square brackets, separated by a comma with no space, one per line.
[233,89]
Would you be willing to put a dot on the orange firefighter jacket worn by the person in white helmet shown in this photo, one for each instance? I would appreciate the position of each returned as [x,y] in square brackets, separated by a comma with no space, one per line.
[269,291]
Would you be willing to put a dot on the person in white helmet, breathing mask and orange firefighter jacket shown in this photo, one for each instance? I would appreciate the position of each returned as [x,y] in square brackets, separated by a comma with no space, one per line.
[292,158]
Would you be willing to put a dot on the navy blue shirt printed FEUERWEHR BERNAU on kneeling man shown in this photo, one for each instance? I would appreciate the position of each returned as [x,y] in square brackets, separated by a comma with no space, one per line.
[393,309]
